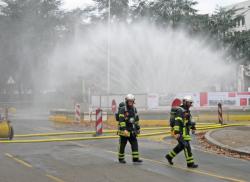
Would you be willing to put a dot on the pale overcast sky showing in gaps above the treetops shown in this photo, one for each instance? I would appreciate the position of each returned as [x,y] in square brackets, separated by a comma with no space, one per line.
[205,6]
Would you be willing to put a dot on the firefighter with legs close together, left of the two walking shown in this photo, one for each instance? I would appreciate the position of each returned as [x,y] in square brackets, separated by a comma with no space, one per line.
[128,128]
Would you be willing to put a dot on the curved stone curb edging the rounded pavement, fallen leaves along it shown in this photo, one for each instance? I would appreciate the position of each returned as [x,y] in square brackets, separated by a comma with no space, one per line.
[212,141]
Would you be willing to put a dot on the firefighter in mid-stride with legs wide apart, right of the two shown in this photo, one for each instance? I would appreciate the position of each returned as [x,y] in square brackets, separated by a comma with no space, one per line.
[183,125]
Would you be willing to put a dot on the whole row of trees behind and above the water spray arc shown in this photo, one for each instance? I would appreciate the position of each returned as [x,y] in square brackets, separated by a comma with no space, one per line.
[31,29]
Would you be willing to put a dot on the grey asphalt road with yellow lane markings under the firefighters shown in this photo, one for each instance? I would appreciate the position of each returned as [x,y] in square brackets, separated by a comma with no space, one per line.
[96,161]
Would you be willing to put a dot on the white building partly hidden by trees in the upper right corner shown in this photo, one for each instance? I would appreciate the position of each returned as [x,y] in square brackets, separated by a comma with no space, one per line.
[242,15]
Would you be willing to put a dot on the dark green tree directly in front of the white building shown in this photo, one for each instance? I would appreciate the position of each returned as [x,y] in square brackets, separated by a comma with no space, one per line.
[221,28]
